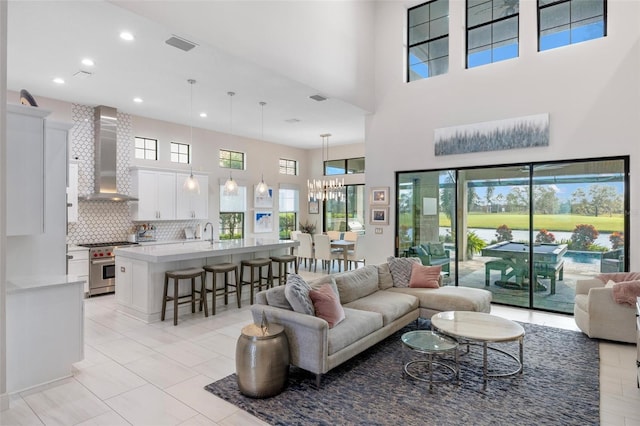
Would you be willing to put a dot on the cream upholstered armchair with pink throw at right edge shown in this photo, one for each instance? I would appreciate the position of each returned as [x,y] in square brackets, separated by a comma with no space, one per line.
[599,316]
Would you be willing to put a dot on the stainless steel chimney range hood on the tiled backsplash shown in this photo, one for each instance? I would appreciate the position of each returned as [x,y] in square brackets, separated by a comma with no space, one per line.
[105,142]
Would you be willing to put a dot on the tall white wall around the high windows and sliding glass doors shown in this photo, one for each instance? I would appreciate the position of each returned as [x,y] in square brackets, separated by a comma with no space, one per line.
[590,91]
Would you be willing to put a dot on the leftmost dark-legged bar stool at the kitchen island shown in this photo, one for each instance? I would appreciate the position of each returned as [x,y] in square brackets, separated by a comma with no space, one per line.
[184,274]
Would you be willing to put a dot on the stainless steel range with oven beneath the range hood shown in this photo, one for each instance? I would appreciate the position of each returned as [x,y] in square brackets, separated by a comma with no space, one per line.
[102,266]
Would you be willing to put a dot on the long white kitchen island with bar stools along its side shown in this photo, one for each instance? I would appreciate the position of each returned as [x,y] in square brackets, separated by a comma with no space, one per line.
[140,269]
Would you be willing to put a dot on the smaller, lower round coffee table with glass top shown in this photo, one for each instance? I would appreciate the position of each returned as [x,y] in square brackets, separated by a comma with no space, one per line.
[430,343]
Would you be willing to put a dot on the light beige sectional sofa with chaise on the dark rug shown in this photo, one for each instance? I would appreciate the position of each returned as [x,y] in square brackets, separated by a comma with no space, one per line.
[374,309]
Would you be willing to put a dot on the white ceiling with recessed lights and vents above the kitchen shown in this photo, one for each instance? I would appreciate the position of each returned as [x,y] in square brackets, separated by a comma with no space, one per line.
[278,52]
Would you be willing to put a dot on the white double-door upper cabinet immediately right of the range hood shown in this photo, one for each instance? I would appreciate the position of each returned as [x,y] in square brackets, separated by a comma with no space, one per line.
[156,195]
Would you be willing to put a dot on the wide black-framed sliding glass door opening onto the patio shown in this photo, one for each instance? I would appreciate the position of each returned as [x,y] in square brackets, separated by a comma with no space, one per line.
[525,232]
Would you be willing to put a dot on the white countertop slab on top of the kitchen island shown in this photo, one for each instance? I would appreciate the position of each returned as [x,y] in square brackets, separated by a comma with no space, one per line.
[198,249]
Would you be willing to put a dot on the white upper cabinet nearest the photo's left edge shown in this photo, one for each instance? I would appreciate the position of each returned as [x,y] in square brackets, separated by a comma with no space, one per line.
[25,170]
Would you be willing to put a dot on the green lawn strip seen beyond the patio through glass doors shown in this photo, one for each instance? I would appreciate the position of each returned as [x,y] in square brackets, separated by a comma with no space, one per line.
[551,222]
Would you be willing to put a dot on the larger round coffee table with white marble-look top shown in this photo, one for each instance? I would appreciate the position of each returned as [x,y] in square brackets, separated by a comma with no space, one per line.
[481,328]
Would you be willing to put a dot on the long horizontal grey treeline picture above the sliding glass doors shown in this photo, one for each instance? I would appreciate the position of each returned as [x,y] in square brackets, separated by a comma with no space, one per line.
[514,133]
